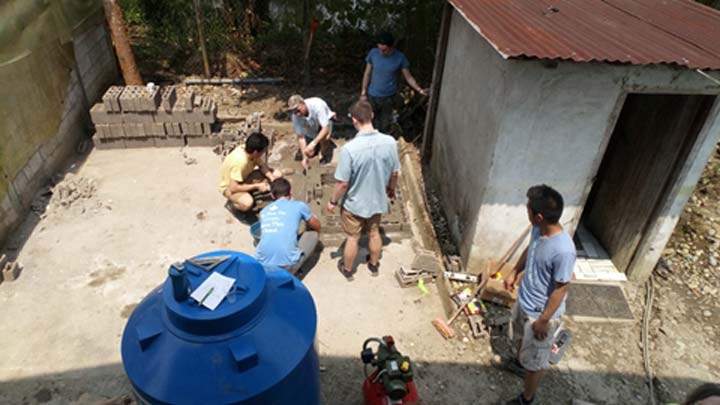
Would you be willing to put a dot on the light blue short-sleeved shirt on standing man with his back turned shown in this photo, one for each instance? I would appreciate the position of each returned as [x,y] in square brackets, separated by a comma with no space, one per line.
[372,157]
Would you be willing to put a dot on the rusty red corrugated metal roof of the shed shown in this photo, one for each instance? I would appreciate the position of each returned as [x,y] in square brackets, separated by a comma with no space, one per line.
[639,32]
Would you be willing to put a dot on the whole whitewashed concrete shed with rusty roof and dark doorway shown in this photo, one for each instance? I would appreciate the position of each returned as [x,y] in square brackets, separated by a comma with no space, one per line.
[611,102]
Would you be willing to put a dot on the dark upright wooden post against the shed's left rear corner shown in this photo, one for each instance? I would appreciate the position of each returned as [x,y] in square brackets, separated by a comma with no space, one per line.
[440,52]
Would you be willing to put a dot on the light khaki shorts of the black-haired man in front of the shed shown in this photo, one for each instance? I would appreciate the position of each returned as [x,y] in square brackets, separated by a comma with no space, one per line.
[533,354]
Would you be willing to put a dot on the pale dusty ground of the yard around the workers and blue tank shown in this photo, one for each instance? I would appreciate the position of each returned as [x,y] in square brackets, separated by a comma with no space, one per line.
[89,262]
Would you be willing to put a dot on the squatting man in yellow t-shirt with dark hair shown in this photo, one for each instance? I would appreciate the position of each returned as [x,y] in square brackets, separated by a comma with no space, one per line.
[244,172]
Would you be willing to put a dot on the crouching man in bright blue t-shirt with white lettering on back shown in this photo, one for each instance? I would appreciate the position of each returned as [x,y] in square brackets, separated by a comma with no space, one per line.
[280,244]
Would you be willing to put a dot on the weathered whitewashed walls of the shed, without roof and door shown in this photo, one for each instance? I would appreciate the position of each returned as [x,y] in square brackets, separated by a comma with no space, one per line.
[535,122]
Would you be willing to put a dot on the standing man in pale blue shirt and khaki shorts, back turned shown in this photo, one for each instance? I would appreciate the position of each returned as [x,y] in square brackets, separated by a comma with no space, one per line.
[366,175]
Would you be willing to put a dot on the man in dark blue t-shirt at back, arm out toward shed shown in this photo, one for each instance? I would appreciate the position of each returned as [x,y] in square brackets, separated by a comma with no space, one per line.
[380,79]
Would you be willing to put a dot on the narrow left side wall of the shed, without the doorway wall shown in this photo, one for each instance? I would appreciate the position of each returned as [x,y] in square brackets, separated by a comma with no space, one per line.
[470,106]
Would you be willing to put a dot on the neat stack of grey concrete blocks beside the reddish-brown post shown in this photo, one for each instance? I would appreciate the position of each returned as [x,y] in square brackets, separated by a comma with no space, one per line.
[136,116]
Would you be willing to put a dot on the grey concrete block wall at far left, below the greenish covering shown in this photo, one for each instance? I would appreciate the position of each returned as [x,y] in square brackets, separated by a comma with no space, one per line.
[98,69]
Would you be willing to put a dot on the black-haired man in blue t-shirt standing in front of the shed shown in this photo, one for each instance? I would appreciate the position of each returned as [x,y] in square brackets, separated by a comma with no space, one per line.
[548,264]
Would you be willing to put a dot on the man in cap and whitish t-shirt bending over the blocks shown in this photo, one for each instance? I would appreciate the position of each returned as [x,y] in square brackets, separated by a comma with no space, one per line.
[313,123]
